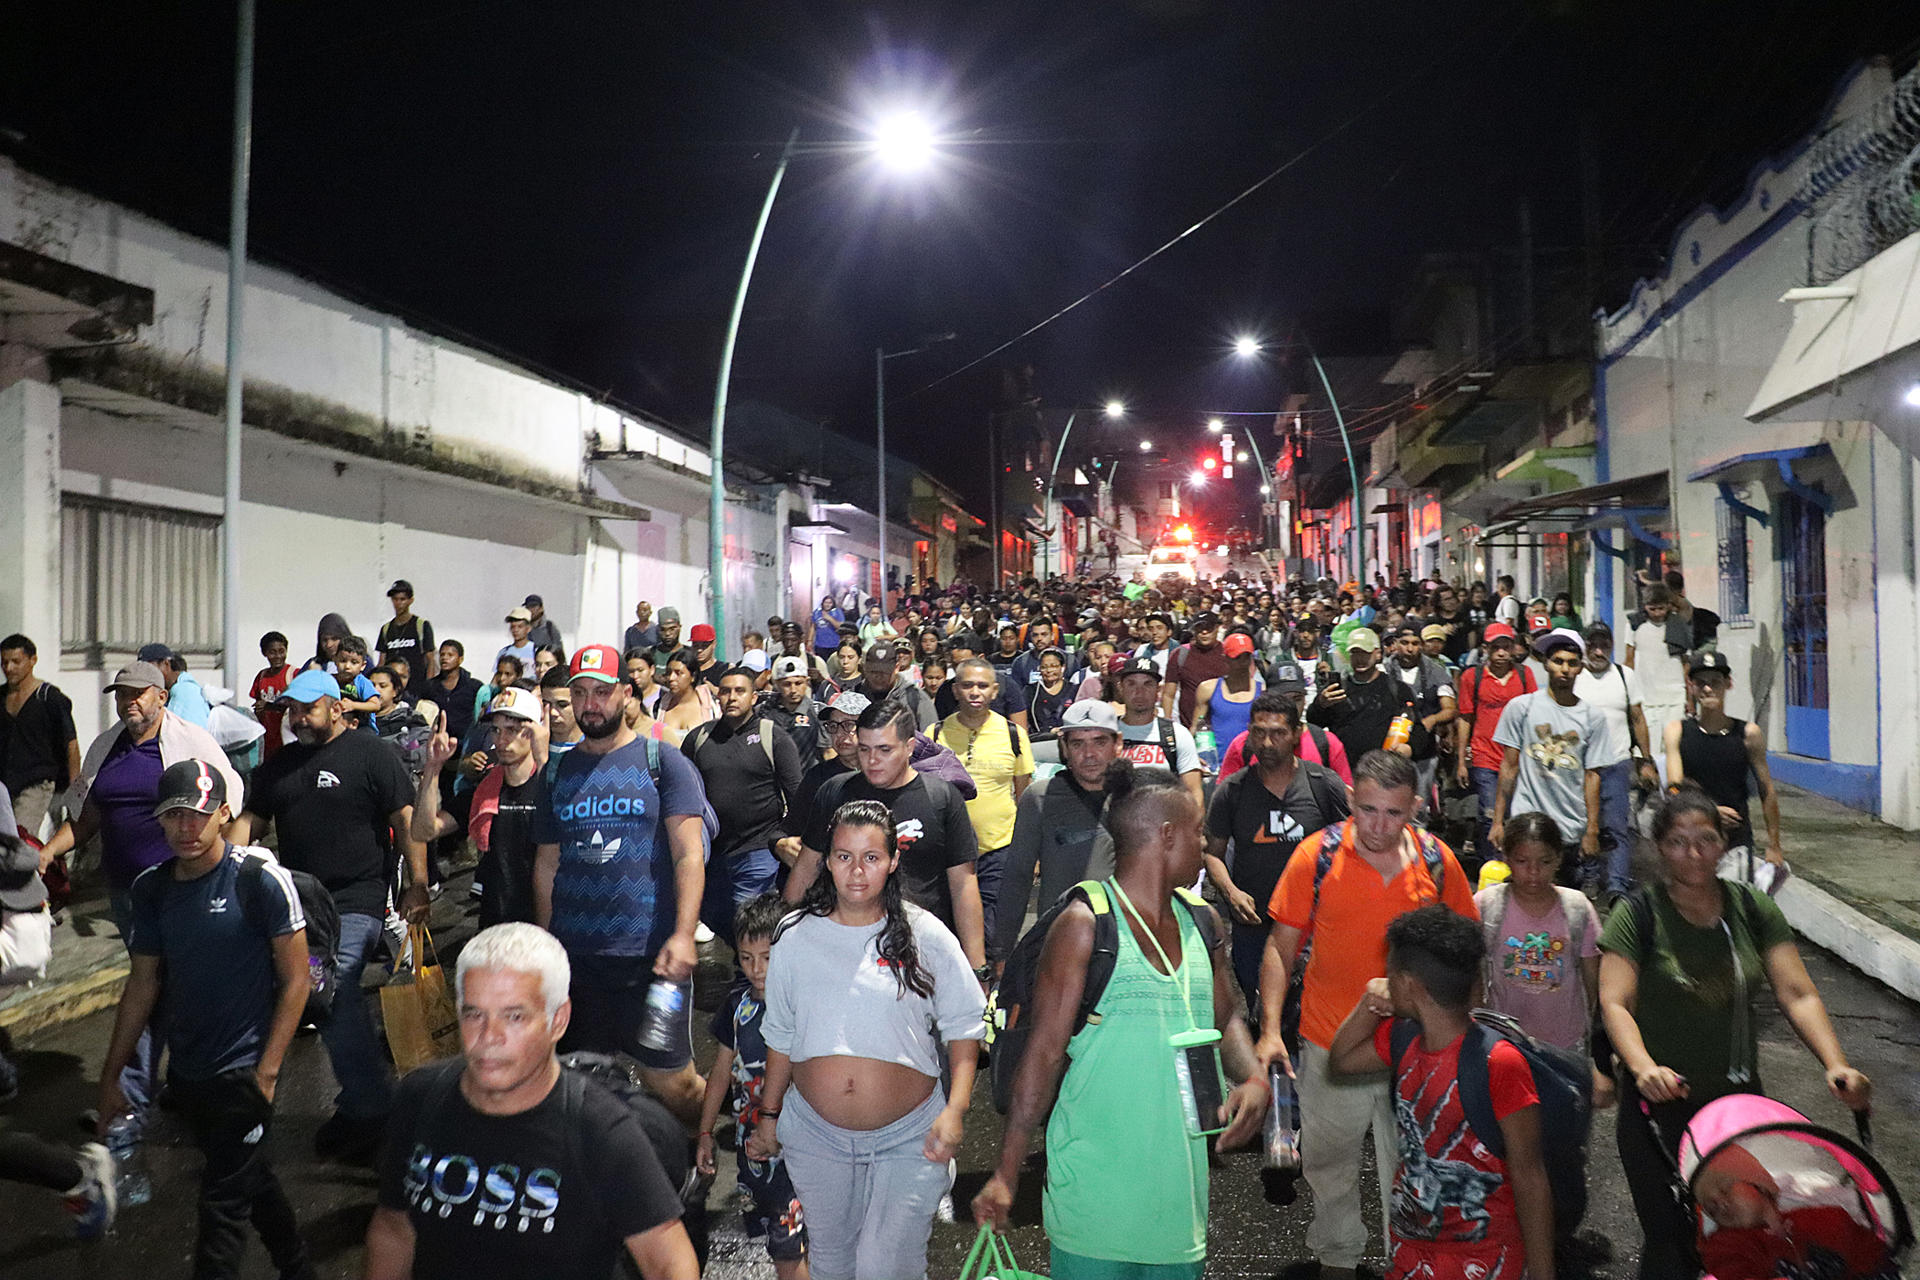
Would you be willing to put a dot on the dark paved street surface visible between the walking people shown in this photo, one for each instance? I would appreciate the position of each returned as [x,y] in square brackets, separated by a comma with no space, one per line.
[1249,1237]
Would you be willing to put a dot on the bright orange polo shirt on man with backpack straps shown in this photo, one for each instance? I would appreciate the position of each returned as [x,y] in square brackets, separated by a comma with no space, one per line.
[1351,932]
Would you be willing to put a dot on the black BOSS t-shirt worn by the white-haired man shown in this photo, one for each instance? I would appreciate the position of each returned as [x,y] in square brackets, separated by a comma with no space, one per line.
[512,1195]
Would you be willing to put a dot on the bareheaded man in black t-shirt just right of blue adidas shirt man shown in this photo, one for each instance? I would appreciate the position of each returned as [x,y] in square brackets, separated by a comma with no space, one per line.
[754,776]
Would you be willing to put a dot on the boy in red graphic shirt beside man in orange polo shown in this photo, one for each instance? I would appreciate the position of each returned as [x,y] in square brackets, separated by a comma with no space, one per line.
[1458,1210]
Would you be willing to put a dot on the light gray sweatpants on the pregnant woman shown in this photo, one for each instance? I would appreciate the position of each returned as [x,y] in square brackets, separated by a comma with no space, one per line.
[869,1195]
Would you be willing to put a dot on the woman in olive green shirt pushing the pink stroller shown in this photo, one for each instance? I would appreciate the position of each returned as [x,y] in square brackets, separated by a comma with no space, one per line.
[1679,974]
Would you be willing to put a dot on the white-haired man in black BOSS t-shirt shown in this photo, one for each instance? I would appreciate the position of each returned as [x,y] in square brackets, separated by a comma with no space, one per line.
[508,1166]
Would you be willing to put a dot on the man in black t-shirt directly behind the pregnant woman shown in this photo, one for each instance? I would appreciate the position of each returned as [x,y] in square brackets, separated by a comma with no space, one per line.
[932,830]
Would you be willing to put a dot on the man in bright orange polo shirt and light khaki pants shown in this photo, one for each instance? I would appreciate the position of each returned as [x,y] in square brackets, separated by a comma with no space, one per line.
[1339,893]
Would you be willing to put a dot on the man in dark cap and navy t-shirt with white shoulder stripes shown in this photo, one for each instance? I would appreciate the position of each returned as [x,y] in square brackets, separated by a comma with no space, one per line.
[224,924]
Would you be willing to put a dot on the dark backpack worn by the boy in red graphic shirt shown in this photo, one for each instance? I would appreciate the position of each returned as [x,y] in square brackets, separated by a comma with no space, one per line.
[1566,1085]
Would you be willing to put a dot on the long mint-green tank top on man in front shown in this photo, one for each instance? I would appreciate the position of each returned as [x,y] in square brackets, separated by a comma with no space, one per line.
[1124,1179]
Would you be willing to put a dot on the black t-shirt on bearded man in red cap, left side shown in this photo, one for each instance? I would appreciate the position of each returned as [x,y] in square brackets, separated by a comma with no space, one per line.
[331,809]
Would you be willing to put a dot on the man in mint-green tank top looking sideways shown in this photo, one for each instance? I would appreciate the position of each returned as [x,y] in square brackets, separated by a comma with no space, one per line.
[1126,1158]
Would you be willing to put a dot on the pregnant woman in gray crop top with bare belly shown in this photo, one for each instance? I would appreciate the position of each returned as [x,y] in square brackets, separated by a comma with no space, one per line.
[861,993]
